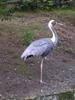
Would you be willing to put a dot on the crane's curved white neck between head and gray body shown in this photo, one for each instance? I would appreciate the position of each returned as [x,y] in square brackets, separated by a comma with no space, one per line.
[55,36]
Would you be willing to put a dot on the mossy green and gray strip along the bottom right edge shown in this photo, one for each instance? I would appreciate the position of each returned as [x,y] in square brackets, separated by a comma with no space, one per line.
[61,96]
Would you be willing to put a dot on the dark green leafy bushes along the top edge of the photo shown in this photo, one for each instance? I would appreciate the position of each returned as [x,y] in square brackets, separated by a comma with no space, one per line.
[33,5]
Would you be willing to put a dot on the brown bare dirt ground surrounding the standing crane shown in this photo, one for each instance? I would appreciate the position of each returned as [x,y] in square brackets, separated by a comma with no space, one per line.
[19,79]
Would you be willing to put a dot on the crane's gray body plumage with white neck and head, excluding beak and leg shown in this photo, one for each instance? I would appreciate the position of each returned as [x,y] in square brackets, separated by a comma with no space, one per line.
[41,47]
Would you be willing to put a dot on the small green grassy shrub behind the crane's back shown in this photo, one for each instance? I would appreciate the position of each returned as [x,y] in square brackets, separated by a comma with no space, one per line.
[27,36]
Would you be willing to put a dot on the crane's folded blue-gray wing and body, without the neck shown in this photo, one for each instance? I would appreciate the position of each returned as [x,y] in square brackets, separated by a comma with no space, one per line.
[39,47]
